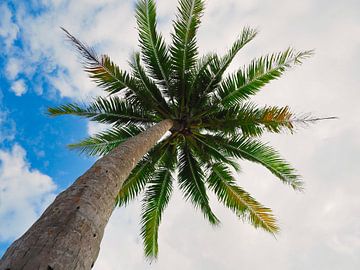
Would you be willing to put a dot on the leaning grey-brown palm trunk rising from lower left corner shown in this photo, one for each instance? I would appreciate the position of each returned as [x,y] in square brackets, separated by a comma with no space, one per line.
[68,234]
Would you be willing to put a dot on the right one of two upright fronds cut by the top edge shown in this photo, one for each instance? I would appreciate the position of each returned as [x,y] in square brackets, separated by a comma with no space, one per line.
[184,49]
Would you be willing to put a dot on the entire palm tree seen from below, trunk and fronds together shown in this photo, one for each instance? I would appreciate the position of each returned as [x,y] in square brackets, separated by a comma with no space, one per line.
[175,116]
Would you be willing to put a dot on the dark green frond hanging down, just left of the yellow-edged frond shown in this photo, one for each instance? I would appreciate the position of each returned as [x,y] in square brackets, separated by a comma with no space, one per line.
[191,182]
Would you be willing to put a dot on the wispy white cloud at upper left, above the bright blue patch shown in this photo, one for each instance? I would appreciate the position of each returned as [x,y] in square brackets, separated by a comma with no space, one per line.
[45,50]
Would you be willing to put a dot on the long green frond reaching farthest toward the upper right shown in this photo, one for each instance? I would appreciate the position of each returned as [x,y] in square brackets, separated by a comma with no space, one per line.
[249,80]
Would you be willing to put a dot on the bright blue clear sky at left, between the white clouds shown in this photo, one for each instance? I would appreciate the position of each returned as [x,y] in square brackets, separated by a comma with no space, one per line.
[25,123]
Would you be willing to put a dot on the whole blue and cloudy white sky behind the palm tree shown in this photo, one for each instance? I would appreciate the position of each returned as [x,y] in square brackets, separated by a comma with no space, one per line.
[320,228]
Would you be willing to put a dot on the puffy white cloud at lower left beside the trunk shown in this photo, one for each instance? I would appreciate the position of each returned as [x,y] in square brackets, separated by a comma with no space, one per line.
[24,193]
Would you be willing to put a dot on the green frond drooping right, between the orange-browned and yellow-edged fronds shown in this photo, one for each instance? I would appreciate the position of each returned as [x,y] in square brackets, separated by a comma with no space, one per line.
[258,152]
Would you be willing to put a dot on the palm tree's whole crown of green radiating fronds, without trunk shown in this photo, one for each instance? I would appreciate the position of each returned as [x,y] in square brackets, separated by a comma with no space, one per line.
[214,123]
